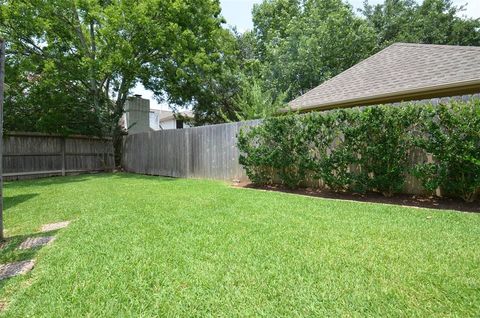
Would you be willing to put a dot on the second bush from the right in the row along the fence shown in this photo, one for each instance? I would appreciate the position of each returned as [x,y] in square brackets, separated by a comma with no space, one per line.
[379,143]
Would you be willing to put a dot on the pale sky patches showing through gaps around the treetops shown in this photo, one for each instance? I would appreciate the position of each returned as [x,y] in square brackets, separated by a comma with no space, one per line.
[238,13]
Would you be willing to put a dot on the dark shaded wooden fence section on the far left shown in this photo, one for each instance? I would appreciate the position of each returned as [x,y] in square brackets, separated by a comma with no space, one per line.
[35,155]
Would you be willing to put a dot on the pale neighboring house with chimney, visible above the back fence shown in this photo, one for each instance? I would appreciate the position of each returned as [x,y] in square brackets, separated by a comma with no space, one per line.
[140,118]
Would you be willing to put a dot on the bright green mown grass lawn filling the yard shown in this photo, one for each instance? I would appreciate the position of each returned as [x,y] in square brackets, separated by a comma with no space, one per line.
[149,246]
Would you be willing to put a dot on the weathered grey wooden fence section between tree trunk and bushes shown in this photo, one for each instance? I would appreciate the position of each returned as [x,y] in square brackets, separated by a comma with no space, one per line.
[208,152]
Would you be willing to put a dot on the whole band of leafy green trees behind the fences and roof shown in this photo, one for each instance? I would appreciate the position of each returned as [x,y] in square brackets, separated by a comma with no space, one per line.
[72,63]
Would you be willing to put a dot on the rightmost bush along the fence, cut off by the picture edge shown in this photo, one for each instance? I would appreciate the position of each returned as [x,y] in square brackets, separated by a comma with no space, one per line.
[451,134]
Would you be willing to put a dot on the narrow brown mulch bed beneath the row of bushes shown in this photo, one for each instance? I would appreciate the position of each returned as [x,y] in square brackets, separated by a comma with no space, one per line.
[399,199]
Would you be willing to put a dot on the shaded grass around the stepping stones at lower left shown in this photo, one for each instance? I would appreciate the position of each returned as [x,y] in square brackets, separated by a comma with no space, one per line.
[10,253]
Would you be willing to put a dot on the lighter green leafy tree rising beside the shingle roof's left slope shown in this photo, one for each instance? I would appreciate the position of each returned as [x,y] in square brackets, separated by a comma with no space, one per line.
[304,43]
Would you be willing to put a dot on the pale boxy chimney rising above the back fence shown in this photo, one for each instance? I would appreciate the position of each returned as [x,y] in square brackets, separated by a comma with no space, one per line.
[137,114]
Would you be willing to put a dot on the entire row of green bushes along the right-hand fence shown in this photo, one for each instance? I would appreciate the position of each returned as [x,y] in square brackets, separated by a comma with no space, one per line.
[375,149]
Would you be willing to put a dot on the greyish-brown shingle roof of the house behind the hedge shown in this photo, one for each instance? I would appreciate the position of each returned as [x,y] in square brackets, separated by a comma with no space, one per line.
[399,72]
